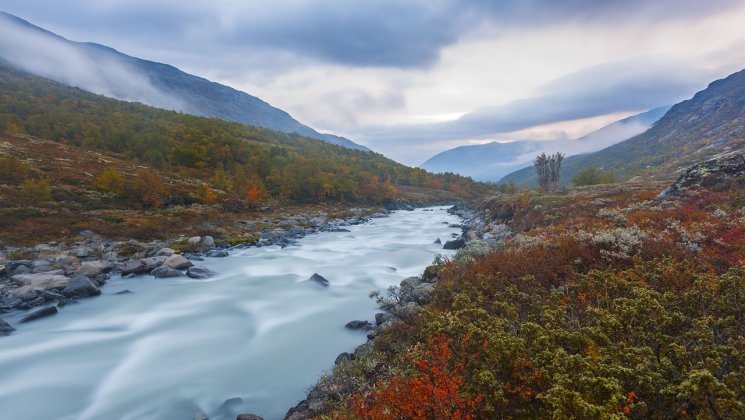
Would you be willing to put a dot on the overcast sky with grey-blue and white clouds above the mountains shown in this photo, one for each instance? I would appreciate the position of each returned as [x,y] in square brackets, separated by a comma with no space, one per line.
[411,78]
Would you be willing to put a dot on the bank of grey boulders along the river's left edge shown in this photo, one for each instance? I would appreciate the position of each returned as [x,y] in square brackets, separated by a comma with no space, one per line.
[43,278]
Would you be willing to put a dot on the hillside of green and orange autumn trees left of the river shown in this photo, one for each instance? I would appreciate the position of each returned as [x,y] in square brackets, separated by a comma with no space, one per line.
[68,155]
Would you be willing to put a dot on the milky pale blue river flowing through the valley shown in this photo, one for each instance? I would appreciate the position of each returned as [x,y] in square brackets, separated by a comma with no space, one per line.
[258,331]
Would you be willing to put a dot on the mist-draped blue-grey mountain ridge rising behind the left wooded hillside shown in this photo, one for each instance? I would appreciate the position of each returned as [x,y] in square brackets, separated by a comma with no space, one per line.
[103,70]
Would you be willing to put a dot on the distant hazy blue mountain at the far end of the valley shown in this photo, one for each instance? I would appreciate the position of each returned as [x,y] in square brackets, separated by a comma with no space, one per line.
[492,161]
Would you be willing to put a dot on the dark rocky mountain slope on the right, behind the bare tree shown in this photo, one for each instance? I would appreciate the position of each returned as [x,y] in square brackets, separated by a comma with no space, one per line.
[710,124]
